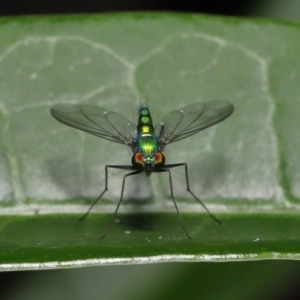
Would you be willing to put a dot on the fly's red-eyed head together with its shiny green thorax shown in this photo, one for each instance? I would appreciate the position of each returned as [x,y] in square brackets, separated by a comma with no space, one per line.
[148,157]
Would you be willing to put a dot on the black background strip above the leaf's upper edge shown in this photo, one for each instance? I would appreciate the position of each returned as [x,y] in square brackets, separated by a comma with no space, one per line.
[23,7]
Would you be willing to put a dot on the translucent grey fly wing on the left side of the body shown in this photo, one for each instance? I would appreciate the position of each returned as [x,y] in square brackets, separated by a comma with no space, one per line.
[97,121]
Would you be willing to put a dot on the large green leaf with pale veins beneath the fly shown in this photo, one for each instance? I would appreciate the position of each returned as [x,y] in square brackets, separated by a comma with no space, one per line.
[246,170]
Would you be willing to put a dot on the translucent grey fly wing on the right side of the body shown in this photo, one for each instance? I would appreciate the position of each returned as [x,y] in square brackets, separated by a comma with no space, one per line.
[191,119]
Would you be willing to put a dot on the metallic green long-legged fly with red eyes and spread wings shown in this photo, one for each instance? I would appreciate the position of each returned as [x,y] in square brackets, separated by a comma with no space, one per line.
[146,141]
